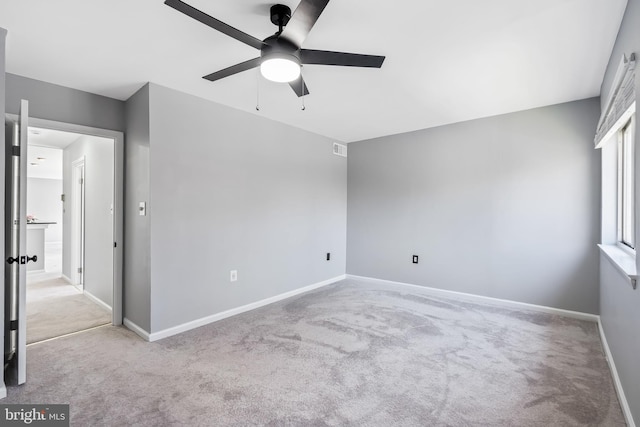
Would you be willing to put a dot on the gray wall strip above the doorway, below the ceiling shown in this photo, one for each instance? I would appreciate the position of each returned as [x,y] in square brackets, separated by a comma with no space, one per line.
[59,103]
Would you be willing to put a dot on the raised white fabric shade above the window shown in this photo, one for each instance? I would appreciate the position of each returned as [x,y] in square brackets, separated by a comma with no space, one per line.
[621,100]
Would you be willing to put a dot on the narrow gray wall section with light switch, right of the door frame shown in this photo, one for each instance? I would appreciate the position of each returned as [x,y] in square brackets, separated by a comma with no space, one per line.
[137,265]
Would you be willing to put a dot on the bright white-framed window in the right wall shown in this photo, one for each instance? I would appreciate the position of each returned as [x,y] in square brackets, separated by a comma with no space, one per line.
[626,174]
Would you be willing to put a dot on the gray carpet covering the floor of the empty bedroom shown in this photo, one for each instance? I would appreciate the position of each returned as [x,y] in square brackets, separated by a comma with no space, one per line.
[352,353]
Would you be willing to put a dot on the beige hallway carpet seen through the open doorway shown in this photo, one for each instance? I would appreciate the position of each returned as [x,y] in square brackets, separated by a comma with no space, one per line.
[56,308]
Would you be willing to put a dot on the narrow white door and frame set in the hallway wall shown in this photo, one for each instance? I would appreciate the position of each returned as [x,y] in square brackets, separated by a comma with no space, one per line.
[77,221]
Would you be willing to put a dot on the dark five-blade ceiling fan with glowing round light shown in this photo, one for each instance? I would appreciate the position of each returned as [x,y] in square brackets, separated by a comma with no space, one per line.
[281,54]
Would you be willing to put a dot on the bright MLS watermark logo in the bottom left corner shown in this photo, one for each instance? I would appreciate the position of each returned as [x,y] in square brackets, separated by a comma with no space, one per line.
[34,415]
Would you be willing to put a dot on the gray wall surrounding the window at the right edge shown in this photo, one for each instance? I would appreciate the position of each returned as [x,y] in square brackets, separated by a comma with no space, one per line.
[619,304]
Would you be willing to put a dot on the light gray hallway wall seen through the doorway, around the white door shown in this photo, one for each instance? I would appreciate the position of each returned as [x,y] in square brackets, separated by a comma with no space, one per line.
[99,178]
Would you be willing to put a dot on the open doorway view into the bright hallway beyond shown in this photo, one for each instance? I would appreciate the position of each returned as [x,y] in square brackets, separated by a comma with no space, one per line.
[59,300]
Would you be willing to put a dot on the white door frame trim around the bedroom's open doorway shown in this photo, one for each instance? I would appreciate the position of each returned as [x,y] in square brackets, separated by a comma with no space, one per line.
[118,198]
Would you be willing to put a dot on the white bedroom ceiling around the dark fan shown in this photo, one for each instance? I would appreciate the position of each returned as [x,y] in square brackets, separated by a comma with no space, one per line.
[446,61]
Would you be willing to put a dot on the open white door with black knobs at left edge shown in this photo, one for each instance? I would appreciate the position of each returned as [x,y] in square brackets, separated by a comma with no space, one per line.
[15,358]
